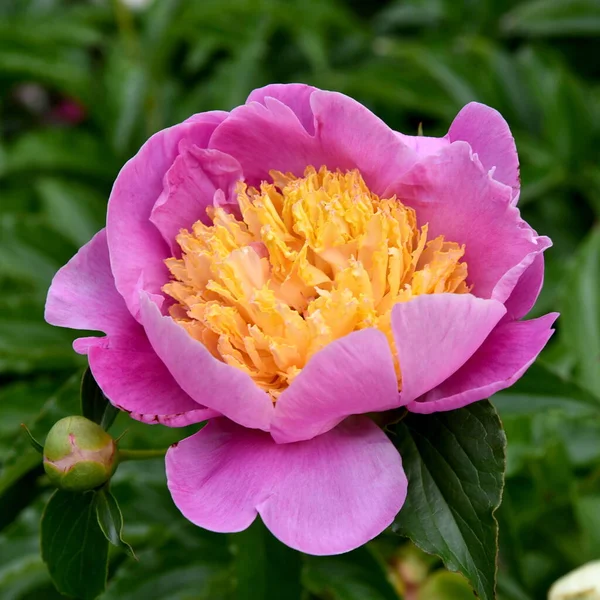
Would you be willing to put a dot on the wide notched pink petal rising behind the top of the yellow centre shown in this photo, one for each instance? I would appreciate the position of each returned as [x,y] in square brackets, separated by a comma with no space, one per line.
[272,135]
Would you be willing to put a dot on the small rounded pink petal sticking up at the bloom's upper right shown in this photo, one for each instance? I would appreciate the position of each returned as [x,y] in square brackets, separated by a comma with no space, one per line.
[489,136]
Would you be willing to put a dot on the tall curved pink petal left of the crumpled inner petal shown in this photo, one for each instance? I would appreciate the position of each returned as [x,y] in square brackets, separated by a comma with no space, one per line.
[137,249]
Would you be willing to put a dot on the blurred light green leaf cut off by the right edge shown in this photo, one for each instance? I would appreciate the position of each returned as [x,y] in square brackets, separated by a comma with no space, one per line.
[580,308]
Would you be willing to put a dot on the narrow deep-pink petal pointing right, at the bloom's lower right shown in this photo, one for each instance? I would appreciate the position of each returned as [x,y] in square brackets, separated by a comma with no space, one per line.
[502,359]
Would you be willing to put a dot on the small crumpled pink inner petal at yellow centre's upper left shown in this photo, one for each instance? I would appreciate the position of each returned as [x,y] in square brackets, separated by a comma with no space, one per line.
[189,188]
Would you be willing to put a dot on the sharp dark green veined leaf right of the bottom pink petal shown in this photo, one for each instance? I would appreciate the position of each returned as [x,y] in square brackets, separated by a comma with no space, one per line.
[455,465]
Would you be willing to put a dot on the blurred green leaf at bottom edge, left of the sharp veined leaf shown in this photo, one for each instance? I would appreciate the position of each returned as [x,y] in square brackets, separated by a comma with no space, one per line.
[357,575]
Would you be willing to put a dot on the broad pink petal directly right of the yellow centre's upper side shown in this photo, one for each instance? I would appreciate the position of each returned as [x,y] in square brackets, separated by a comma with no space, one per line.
[452,192]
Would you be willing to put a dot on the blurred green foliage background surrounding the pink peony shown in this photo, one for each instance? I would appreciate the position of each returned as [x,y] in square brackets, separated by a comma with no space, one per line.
[84,83]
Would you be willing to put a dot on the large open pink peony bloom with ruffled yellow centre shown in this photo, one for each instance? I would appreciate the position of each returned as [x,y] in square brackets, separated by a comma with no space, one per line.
[287,268]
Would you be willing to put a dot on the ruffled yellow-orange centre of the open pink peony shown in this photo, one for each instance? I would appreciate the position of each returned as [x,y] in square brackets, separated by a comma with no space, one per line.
[313,259]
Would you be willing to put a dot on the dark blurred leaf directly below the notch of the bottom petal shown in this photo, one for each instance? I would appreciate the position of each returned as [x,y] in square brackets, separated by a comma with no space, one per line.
[265,568]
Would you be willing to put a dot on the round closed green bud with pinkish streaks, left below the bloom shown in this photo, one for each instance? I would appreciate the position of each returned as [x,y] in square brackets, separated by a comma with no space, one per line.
[79,455]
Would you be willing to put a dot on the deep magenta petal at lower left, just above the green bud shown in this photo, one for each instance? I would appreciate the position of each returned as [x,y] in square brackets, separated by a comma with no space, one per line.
[135,380]
